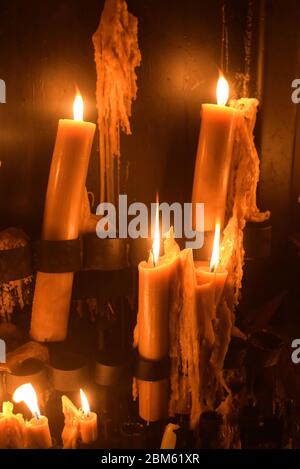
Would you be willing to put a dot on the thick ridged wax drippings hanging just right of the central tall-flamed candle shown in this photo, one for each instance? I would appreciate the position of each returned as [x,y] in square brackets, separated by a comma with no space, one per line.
[200,331]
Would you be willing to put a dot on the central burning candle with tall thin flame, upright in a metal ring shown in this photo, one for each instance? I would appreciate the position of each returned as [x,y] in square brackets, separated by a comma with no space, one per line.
[155,278]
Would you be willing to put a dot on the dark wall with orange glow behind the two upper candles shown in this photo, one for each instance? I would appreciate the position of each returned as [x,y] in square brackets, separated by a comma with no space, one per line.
[46,50]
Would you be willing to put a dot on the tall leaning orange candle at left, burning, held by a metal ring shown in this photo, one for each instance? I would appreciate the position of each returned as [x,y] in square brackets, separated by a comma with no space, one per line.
[62,217]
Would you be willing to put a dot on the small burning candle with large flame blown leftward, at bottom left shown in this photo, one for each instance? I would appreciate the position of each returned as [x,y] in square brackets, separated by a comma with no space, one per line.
[37,429]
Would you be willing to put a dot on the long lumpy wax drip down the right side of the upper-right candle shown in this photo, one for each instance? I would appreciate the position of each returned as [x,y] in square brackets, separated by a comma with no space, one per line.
[241,201]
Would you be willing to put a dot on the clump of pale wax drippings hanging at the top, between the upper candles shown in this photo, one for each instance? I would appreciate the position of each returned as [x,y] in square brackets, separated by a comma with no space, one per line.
[117,55]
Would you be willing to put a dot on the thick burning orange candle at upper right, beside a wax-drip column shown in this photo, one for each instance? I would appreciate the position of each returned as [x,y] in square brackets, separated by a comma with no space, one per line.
[214,156]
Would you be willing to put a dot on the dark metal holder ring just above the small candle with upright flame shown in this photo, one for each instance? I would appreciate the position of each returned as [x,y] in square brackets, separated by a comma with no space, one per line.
[68,372]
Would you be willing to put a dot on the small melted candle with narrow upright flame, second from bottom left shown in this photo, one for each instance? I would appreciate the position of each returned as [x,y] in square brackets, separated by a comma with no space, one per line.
[80,424]
